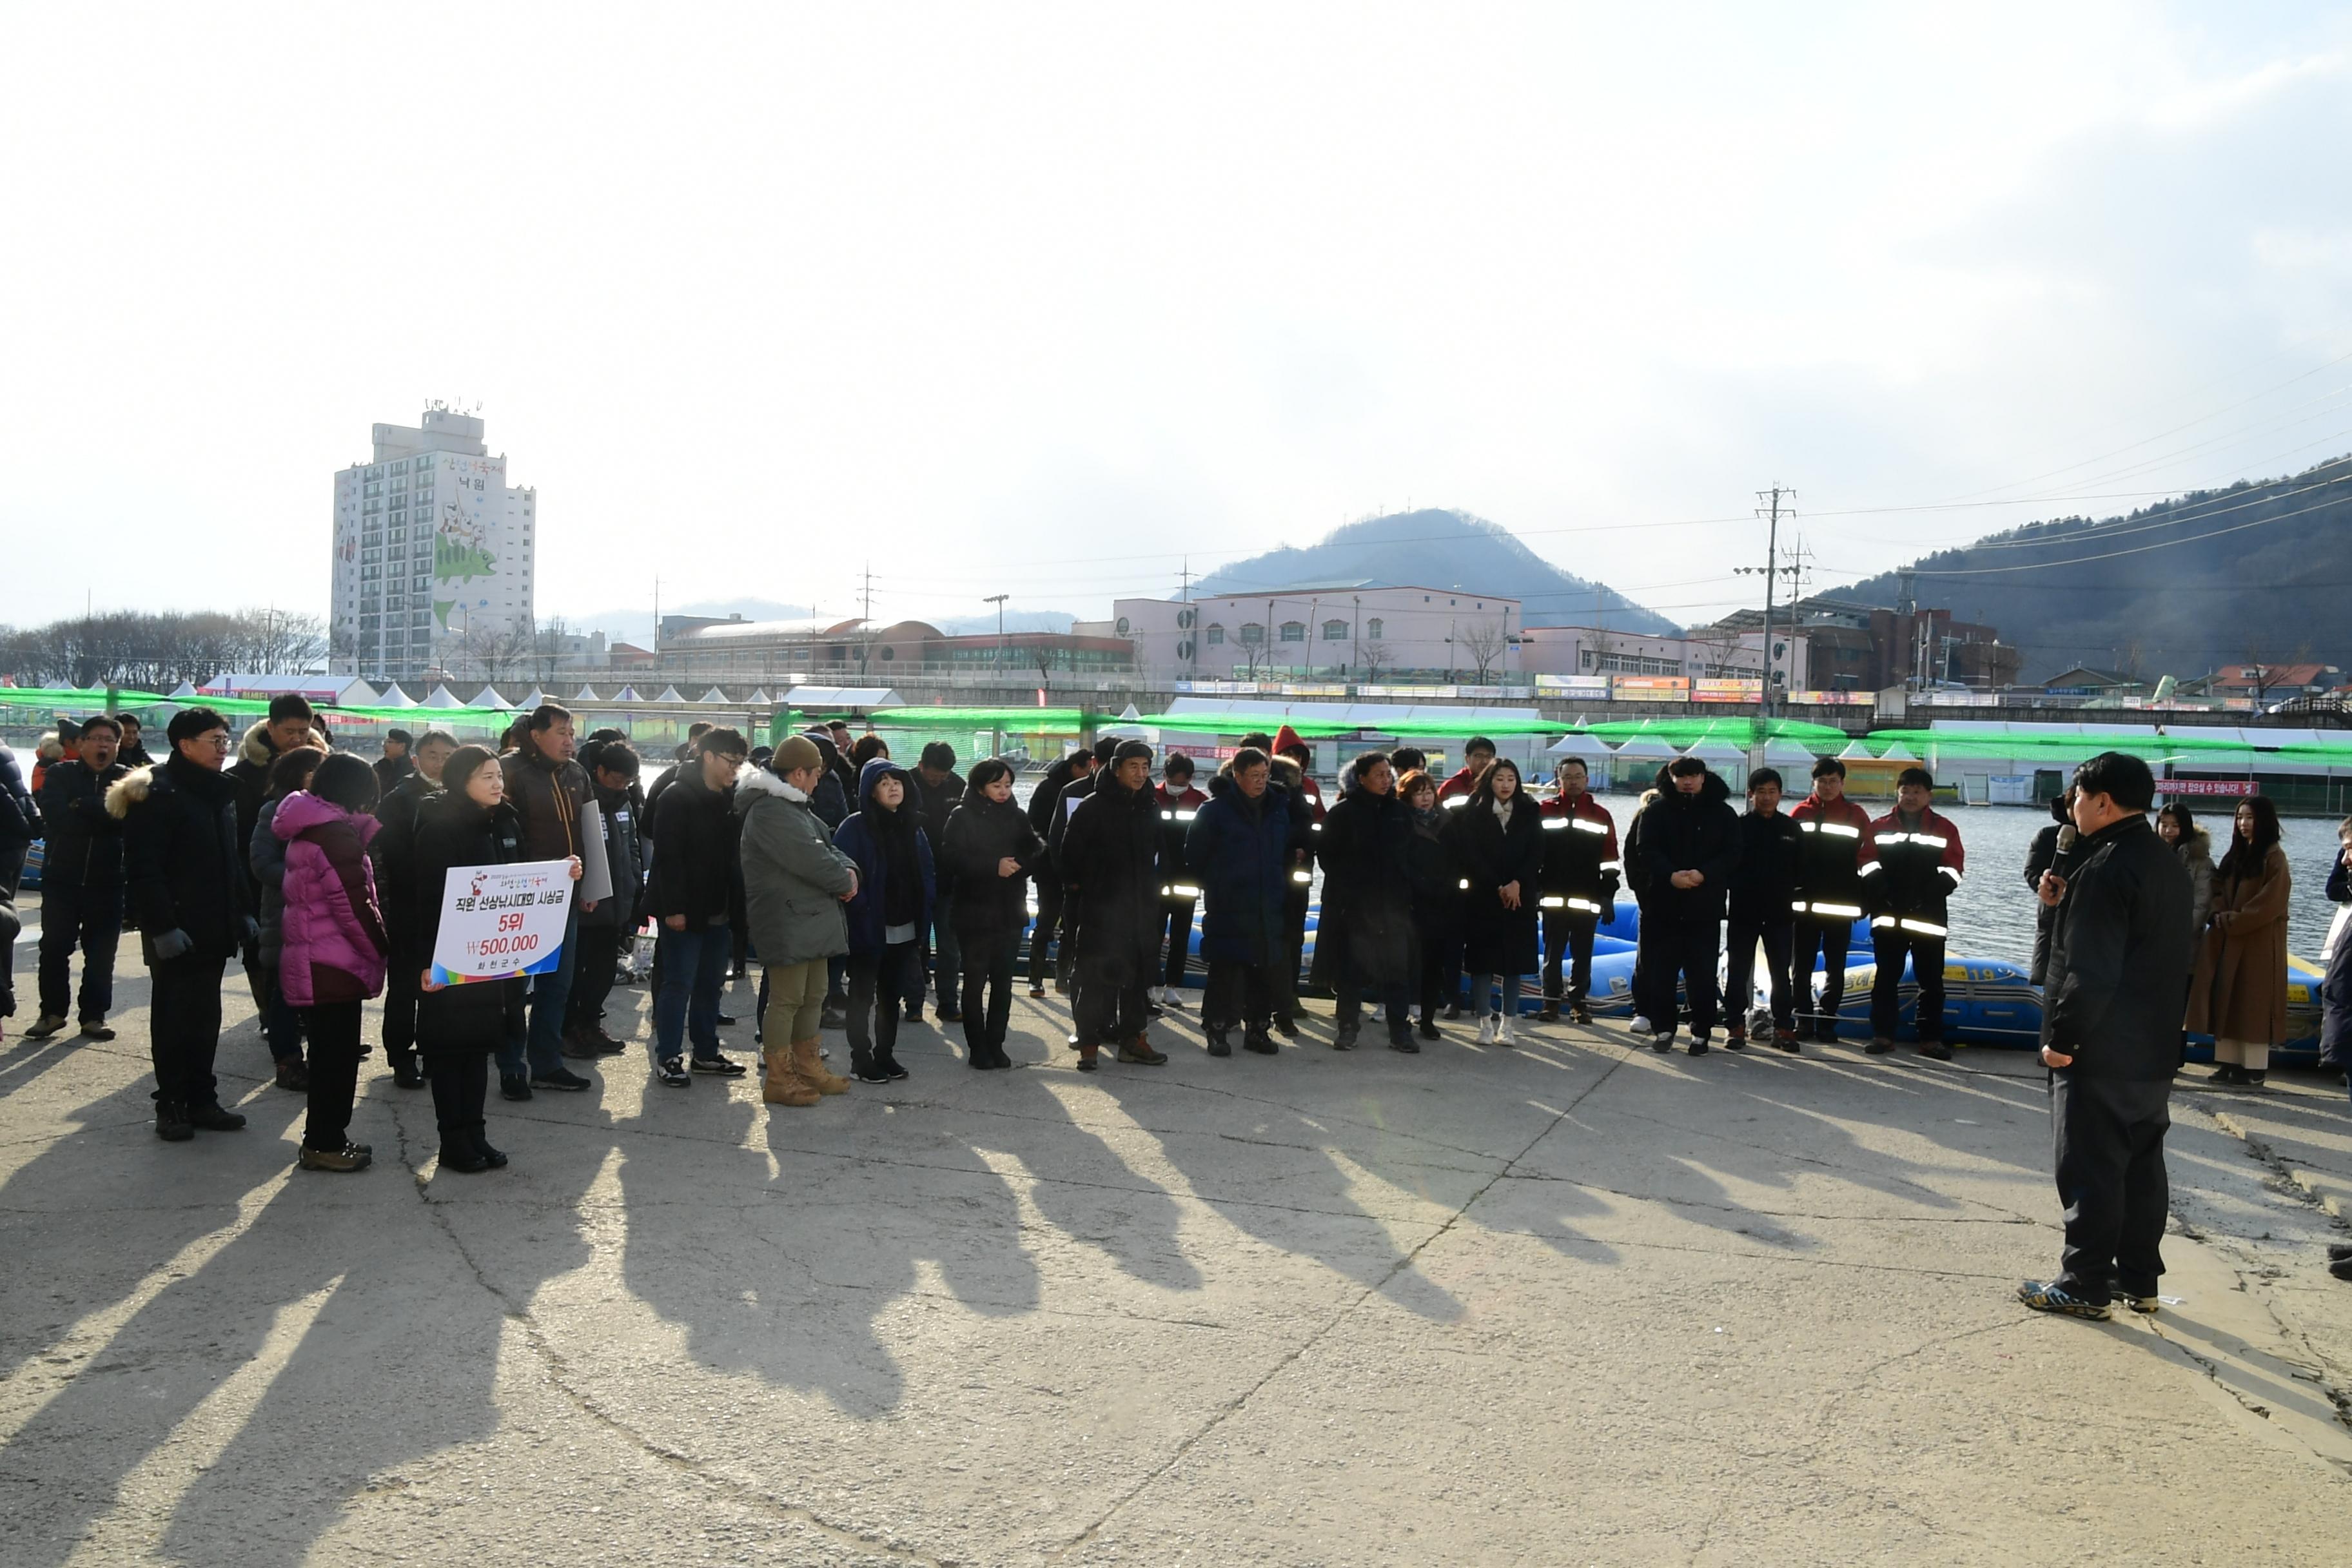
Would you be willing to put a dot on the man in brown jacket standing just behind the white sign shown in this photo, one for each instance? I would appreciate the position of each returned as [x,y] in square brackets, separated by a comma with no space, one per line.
[552,793]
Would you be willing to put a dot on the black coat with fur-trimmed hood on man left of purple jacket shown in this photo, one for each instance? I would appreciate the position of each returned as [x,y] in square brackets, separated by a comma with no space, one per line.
[180,857]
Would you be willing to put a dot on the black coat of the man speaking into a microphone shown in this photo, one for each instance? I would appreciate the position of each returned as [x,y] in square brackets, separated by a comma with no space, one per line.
[2118,953]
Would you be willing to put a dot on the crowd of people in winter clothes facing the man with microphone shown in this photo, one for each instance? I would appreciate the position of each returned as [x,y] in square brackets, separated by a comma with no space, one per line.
[864,887]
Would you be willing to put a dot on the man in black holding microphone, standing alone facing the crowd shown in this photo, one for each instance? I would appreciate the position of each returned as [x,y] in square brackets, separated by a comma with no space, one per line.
[2111,1038]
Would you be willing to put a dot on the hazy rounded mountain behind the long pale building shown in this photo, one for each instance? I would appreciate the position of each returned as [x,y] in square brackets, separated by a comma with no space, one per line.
[1441,549]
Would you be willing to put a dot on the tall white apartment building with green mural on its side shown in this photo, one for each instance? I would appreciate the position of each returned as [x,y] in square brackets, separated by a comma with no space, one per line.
[432,554]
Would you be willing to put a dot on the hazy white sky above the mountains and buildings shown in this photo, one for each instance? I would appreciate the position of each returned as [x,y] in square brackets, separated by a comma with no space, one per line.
[1036,300]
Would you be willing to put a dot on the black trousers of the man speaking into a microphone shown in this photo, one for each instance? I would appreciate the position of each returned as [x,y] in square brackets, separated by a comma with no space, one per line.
[2109,1141]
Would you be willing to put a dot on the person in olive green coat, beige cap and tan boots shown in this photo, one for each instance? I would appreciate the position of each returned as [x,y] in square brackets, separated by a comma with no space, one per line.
[794,890]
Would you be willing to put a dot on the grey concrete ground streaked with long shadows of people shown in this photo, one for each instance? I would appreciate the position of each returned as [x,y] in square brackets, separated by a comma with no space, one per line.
[1572,1304]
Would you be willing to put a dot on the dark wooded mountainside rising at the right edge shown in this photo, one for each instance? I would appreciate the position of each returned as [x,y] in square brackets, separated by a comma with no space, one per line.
[2252,572]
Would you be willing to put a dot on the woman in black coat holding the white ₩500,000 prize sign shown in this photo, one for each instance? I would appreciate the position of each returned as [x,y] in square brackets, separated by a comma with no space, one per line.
[460,1026]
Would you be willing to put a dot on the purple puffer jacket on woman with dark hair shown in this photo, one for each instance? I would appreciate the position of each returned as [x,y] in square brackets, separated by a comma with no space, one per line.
[335,937]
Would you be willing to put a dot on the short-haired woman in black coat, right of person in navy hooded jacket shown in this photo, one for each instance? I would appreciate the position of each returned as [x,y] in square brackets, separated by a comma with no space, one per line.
[991,850]
